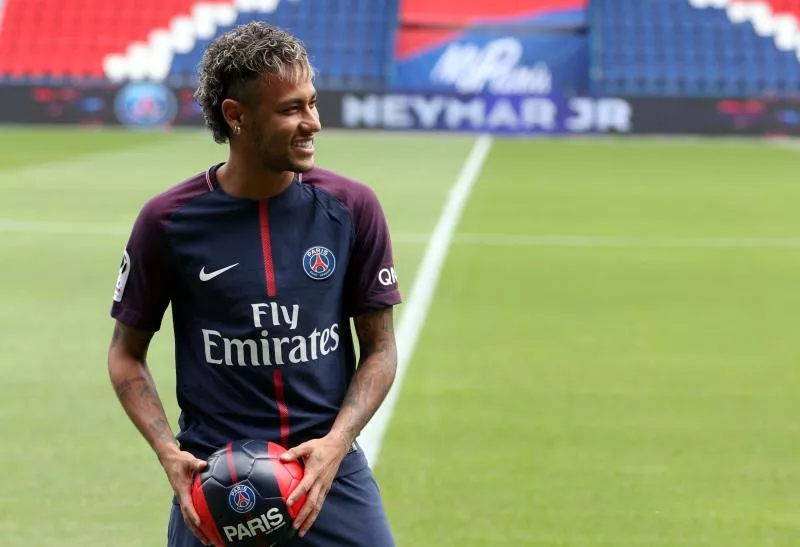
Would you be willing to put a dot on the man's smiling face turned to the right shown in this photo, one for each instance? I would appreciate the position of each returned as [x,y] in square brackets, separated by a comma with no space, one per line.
[284,121]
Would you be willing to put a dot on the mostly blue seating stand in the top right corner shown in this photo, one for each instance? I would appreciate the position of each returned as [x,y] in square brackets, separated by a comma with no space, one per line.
[695,47]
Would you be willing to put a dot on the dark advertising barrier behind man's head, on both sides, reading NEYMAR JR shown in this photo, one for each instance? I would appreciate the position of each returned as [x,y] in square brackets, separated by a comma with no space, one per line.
[154,105]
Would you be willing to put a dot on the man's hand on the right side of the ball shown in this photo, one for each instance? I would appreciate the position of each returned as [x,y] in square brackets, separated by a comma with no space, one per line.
[321,458]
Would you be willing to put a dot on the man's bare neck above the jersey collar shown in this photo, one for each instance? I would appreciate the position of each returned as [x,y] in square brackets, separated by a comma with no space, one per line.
[241,180]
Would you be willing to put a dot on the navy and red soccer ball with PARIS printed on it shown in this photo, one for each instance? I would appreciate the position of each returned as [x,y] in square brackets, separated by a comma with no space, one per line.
[241,495]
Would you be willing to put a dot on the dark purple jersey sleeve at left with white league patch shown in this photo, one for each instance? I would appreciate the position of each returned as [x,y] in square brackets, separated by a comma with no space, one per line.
[142,291]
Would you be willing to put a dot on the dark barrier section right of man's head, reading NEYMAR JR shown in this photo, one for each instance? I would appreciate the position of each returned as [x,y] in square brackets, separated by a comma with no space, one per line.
[557,115]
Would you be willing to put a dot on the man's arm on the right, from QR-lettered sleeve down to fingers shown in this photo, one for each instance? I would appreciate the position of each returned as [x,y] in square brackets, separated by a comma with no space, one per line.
[370,294]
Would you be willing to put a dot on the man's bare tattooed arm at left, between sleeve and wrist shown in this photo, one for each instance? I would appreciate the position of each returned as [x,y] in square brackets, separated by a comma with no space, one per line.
[134,386]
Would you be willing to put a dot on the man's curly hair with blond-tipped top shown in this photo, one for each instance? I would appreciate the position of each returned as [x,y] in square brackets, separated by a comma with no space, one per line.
[243,55]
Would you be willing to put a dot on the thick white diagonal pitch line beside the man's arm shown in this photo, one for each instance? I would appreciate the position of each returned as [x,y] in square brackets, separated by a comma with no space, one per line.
[422,291]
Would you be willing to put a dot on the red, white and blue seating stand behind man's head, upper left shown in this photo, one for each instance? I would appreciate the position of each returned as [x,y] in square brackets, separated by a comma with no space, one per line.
[350,41]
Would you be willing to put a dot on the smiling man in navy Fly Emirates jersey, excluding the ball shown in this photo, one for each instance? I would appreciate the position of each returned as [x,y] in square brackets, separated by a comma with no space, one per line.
[264,259]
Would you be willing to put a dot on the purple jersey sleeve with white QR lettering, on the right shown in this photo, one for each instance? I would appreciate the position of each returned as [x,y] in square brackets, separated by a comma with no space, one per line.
[372,281]
